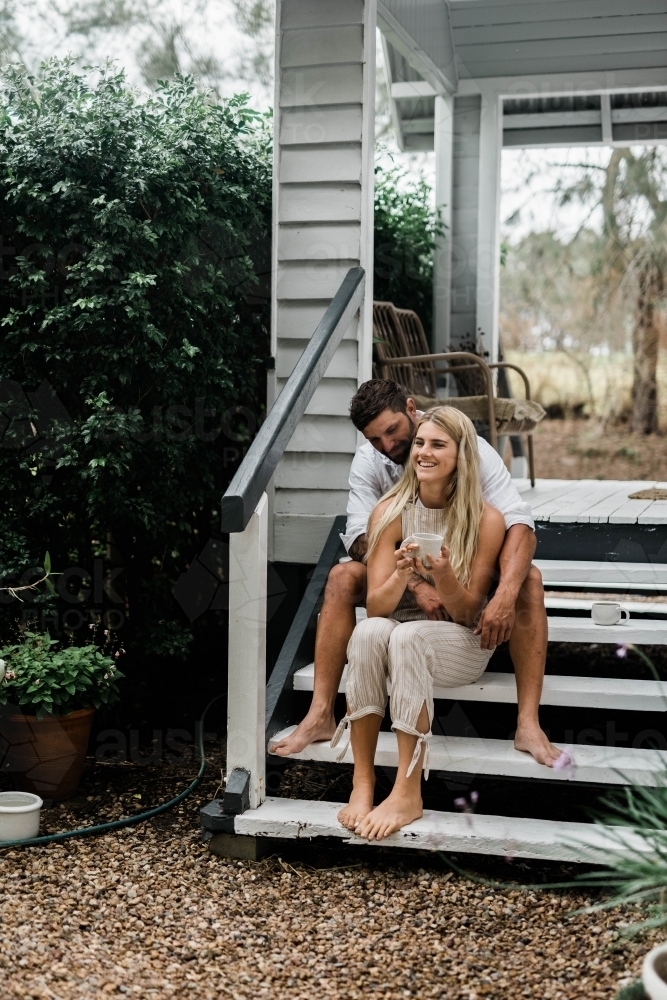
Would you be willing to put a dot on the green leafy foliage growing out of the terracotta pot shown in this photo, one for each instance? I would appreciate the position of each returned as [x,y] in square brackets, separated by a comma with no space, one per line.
[51,679]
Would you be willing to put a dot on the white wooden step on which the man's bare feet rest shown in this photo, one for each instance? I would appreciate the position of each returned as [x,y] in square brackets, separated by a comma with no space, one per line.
[465,755]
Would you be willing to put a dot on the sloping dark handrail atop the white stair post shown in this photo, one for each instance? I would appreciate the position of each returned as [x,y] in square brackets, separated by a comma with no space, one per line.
[274,435]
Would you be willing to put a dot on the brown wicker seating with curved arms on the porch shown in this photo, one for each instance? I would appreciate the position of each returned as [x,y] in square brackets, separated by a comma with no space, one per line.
[402,352]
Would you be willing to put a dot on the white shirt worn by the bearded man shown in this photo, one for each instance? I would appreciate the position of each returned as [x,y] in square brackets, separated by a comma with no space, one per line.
[372,474]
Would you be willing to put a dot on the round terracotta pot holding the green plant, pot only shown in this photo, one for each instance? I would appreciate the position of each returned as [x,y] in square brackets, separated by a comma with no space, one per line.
[46,755]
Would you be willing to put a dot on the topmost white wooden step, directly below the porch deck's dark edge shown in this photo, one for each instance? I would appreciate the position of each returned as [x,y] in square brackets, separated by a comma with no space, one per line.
[589,574]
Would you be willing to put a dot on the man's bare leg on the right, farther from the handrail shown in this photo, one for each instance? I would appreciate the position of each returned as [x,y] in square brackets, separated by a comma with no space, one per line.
[528,649]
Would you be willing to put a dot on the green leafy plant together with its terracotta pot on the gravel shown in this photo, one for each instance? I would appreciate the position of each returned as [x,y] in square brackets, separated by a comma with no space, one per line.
[57,687]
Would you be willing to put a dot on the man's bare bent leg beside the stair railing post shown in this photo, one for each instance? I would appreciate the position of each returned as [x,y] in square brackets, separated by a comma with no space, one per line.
[345,588]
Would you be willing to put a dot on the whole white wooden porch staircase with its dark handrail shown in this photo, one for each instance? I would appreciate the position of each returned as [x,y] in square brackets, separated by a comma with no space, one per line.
[591,537]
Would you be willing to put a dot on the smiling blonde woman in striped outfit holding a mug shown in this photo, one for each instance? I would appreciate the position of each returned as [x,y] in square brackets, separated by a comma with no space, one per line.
[439,493]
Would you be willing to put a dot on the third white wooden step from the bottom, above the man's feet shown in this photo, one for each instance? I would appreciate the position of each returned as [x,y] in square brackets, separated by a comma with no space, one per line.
[573,692]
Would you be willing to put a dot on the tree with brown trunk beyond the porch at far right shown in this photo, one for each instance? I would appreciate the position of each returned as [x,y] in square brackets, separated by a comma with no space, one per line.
[632,259]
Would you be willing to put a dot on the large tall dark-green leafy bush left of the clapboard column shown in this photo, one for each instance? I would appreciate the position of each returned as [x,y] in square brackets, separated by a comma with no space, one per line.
[132,332]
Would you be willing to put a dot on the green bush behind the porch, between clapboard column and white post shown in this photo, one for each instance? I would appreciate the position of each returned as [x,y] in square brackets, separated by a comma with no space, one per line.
[405,231]
